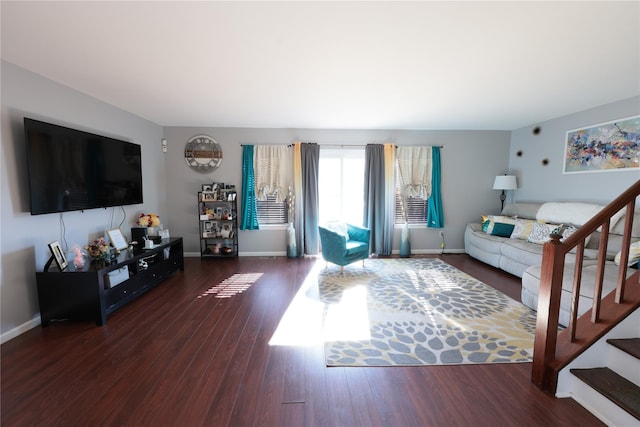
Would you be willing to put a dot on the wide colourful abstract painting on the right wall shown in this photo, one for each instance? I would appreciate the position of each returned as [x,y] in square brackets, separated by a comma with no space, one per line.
[605,147]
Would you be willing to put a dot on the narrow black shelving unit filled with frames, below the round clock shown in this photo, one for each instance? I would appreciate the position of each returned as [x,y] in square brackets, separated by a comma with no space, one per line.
[218,224]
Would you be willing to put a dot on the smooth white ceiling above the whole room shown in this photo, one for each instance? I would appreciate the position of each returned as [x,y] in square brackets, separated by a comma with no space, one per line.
[340,65]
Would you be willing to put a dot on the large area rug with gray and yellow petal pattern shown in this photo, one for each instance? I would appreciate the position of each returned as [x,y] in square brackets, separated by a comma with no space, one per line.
[419,311]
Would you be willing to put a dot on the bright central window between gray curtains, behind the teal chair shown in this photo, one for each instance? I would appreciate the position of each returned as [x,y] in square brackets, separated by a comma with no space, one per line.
[341,184]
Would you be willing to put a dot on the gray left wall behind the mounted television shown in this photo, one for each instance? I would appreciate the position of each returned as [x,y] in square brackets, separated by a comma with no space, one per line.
[24,238]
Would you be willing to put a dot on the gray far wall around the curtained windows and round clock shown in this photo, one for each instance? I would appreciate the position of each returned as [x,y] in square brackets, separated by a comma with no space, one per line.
[470,161]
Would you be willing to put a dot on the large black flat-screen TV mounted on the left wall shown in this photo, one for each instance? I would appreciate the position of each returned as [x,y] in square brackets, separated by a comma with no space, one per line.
[72,170]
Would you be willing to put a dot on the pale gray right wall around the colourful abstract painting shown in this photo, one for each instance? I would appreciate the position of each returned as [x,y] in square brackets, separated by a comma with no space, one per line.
[547,183]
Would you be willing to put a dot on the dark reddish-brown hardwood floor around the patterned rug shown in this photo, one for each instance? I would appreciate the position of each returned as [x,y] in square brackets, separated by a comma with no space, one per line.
[182,356]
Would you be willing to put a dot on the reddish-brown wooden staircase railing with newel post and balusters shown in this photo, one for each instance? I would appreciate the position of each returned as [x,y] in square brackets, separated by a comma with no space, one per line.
[553,350]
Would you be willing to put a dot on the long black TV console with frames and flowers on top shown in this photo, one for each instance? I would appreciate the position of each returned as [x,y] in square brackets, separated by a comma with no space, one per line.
[93,292]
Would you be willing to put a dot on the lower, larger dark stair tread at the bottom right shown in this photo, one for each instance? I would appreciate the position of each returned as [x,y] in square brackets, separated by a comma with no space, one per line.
[614,387]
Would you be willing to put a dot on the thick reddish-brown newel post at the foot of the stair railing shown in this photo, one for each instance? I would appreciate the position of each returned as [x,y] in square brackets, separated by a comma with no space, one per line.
[544,348]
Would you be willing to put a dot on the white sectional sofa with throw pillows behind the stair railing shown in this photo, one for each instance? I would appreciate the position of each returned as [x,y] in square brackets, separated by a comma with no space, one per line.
[522,257]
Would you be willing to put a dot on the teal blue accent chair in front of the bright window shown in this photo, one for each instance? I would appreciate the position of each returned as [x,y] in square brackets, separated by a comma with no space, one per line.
[340,250]
